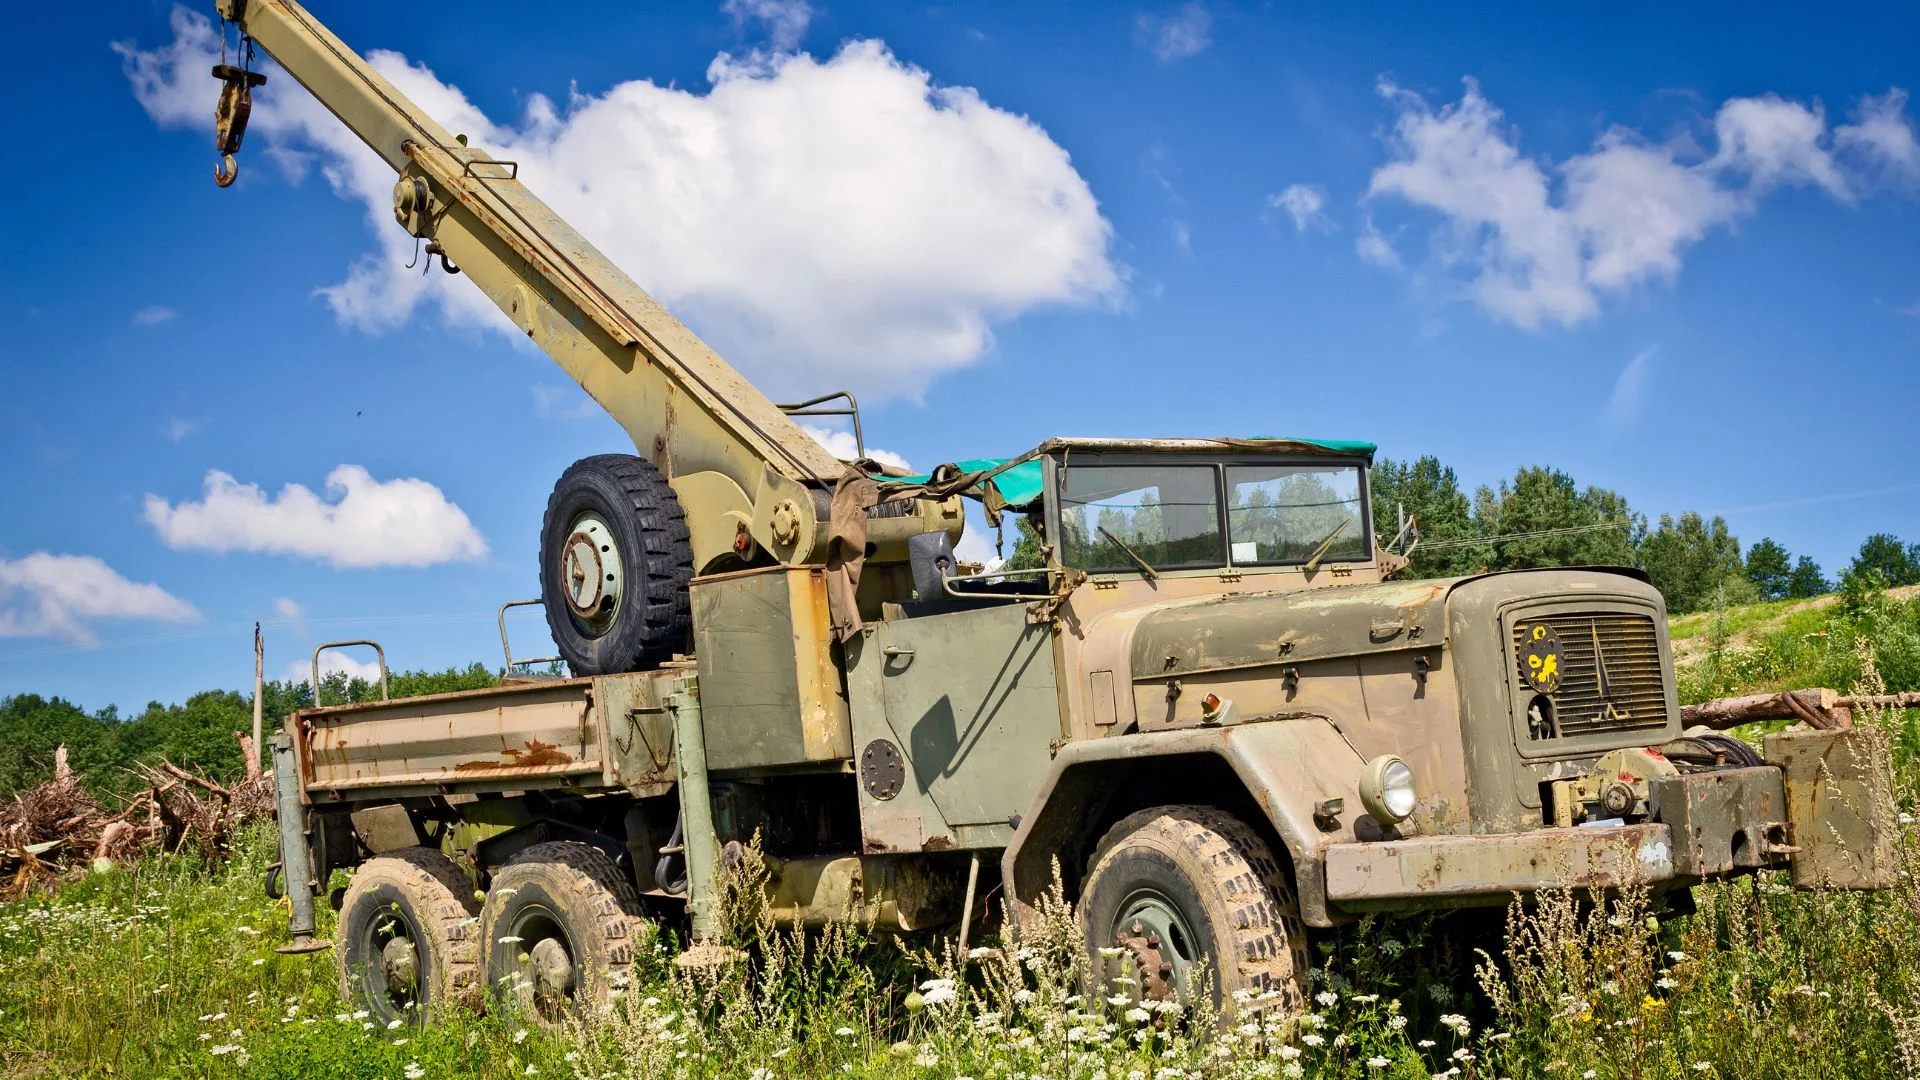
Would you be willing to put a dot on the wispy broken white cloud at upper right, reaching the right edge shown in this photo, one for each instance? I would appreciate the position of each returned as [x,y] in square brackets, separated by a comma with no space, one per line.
[1541,241]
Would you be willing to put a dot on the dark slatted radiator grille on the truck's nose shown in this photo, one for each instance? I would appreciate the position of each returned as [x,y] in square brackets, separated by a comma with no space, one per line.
[1637,697]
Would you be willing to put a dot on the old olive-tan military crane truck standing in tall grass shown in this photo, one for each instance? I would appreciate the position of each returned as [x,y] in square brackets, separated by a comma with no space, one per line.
[1197,689]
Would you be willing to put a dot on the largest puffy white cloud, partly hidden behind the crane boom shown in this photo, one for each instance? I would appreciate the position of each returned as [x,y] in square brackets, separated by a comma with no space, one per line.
[825,222]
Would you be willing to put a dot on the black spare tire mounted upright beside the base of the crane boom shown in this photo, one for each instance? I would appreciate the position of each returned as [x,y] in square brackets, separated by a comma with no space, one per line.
[615,564]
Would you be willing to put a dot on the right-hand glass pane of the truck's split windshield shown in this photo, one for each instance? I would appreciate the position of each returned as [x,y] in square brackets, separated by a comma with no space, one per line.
[1284,514]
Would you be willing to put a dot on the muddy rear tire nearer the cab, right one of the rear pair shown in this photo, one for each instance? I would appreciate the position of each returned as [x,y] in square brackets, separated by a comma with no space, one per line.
[558,929]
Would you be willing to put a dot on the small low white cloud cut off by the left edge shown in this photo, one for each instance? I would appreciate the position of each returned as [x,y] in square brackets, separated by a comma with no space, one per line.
[59,597]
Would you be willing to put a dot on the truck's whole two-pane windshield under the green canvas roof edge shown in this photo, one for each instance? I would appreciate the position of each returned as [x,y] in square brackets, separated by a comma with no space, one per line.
[1168,516]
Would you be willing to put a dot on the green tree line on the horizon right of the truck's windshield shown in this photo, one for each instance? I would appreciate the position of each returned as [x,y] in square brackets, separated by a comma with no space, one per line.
[1543,518]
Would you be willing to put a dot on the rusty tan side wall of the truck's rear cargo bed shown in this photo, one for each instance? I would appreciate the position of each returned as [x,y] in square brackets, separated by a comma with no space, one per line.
[602,733]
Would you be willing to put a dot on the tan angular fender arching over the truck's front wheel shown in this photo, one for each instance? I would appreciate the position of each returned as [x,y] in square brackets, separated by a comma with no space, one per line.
[1285,766]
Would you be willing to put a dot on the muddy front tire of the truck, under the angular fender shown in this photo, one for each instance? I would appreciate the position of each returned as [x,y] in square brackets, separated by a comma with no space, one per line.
[1174,887]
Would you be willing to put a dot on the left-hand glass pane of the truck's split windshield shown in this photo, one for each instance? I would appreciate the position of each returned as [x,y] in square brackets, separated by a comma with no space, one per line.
[1164,514]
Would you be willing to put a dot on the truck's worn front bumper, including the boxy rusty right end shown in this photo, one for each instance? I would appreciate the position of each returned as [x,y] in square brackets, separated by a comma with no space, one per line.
[1823,808]
